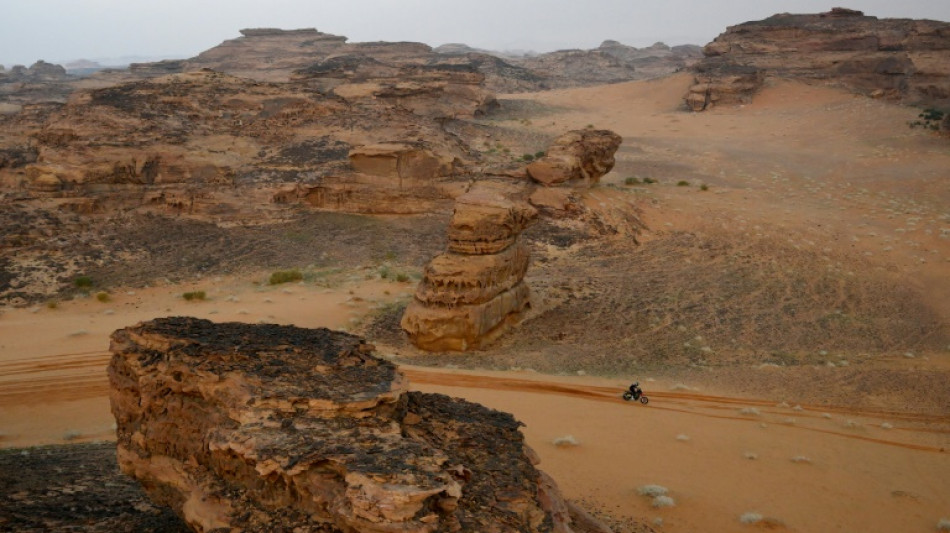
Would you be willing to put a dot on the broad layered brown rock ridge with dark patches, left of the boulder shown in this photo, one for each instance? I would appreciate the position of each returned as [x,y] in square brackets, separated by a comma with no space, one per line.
[229,138]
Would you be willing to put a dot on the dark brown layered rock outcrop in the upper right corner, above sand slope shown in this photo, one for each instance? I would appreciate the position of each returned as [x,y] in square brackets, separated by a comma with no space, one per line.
[903,59]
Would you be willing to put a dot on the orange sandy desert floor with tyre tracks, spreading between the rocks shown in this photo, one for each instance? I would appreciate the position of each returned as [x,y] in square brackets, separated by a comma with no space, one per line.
[829,170]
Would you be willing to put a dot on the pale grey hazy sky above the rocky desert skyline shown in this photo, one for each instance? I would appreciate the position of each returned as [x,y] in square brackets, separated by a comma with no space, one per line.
[63,30]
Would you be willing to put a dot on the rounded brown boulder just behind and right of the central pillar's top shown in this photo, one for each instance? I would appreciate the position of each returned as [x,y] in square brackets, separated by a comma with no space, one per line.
[577,158]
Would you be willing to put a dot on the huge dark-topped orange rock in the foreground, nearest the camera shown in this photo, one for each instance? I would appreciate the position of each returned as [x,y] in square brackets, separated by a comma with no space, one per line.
[276,428]
